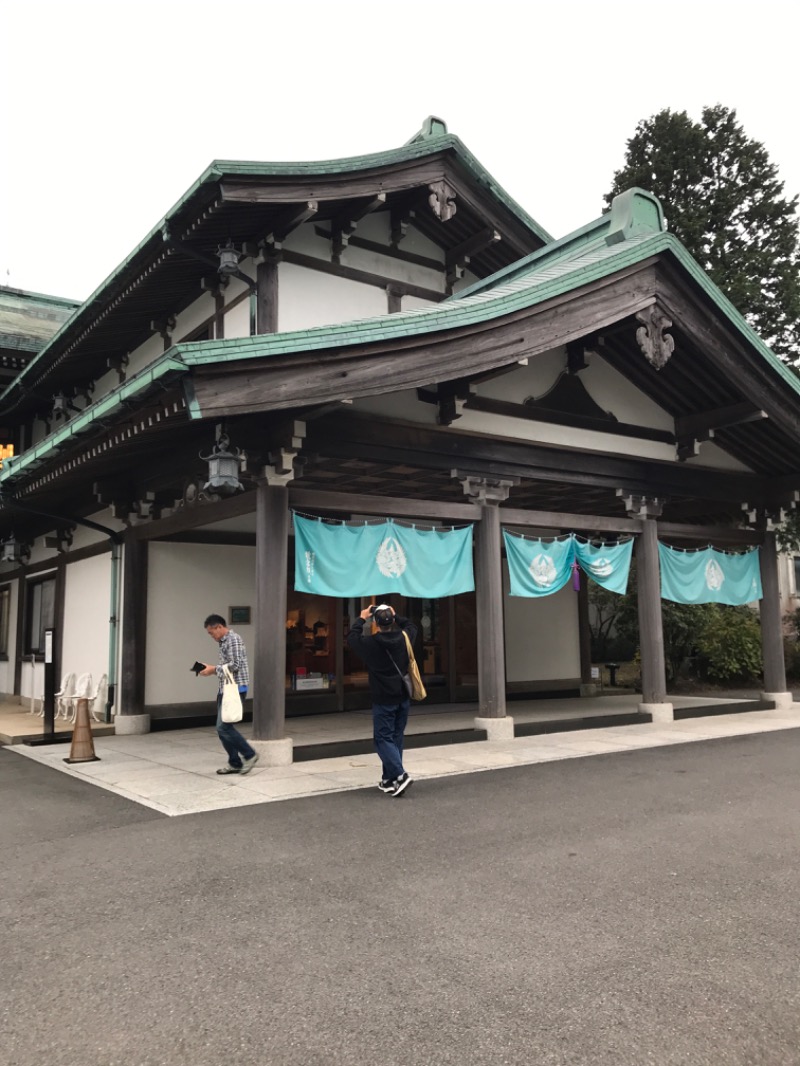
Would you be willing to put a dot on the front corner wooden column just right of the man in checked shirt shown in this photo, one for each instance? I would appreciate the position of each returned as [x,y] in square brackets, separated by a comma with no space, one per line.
[269,664]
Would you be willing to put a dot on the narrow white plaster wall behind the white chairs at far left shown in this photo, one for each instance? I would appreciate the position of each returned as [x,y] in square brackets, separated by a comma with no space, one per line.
[87,618]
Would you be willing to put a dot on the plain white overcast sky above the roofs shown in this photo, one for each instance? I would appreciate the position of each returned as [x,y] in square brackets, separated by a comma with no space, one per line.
[111,111]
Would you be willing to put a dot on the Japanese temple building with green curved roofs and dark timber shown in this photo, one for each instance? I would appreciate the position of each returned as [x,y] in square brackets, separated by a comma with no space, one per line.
[382,337]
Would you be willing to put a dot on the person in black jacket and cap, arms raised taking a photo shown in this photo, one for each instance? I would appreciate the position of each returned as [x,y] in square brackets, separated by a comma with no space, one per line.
[387,657]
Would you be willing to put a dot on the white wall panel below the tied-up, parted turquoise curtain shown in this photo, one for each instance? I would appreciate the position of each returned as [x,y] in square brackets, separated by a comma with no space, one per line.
[541,636]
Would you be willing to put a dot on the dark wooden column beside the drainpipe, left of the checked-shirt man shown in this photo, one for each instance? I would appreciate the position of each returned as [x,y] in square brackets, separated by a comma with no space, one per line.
[135,626]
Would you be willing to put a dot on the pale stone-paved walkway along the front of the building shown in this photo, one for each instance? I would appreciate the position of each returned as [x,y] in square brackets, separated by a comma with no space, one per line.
[175,772]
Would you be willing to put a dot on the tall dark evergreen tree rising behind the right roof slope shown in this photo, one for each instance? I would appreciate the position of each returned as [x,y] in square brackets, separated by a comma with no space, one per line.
[724,200]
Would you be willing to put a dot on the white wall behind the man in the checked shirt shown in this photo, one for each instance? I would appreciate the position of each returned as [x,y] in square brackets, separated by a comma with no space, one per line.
[187,584]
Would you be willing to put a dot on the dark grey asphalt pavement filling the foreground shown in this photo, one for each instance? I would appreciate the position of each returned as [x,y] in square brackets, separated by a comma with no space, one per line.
[630,909]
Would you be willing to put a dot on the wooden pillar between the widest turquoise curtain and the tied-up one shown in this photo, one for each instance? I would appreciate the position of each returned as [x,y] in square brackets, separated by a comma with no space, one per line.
[489,602]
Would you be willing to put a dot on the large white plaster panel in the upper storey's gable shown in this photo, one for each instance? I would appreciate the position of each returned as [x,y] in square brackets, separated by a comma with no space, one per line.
[311,299]
